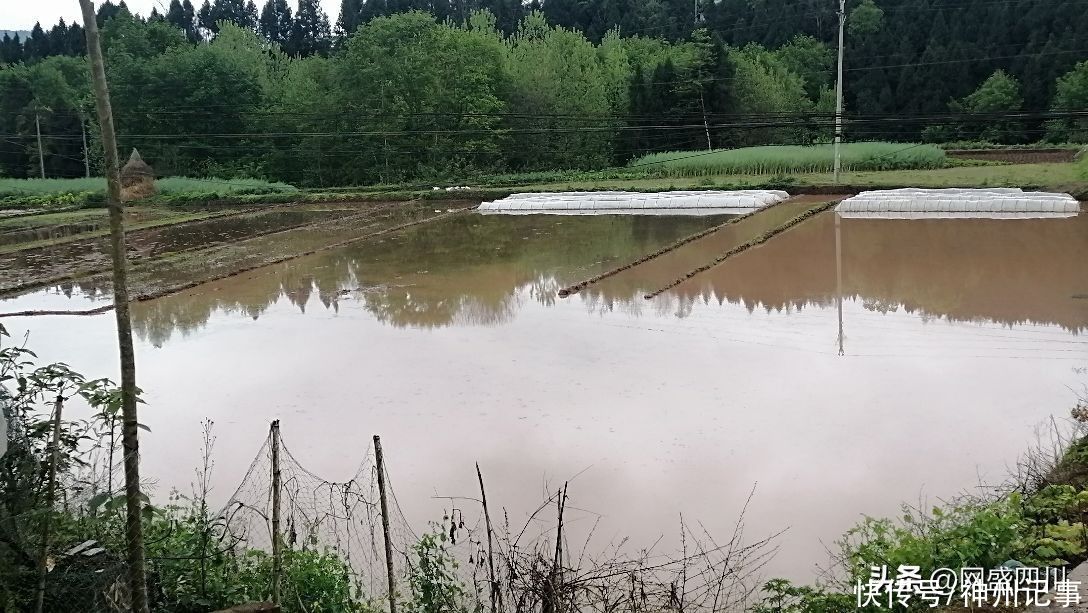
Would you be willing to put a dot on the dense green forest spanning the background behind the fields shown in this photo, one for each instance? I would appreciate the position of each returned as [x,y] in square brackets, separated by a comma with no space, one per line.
[397,91]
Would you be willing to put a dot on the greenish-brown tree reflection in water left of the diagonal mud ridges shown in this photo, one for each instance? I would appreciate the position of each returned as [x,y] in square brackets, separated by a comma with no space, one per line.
[469,271]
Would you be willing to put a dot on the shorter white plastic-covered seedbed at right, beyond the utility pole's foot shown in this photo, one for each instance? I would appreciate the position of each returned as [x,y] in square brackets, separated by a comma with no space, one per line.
[955,203]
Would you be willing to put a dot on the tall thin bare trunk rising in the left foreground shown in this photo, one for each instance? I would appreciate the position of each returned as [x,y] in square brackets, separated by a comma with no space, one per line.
[130,430]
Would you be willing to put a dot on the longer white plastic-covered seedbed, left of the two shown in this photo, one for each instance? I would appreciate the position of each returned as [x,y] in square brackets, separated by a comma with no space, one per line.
[635,203]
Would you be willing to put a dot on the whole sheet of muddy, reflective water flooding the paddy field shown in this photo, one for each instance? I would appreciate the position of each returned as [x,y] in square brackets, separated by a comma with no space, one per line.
[958,339]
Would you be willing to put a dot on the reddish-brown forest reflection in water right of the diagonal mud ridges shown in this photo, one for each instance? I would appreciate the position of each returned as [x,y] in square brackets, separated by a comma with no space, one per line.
[1011,273]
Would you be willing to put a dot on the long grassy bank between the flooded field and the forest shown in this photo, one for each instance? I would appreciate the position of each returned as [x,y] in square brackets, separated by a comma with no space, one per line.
[807,178]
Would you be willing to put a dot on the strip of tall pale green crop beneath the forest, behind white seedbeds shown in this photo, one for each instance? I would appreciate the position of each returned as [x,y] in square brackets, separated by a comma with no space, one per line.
[793,160]
